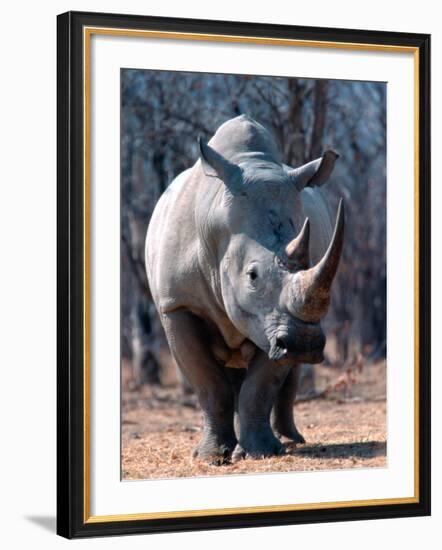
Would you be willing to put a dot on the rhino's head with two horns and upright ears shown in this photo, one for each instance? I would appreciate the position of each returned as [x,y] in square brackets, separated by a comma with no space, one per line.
[270,290]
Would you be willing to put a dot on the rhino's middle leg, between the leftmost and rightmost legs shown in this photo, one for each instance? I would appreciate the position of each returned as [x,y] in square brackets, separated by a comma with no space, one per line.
[257,396]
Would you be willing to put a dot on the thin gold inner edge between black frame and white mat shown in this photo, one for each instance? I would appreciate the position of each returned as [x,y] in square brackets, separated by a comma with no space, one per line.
[87,33]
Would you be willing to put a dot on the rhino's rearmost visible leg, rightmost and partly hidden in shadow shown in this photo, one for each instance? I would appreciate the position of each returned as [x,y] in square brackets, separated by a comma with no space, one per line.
[283,422]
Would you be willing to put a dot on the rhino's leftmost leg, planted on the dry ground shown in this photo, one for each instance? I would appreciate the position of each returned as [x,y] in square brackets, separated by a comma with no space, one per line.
[189,344]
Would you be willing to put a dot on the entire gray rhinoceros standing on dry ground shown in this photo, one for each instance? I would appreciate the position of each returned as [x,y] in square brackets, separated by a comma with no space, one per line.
[239,285]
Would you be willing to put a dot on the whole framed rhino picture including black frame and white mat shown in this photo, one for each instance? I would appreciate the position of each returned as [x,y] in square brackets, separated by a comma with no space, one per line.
[243,274]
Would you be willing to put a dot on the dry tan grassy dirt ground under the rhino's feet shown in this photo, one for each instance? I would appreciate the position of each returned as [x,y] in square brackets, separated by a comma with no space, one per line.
[344,424]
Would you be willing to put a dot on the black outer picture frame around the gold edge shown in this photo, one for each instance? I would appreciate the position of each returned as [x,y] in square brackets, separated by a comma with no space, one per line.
[72,521]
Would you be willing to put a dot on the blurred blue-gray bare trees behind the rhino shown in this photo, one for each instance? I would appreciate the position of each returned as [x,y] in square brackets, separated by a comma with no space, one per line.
[162,114]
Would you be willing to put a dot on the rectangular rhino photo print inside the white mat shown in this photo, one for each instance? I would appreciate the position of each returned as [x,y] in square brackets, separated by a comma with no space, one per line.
[253,274]
